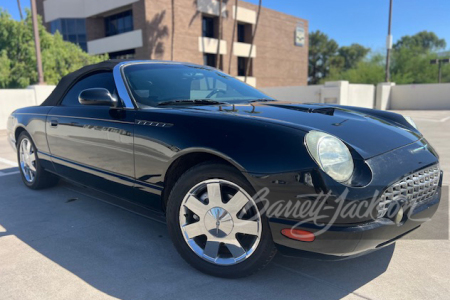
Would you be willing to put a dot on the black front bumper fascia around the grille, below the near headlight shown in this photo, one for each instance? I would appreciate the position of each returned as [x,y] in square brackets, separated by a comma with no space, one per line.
[348,235]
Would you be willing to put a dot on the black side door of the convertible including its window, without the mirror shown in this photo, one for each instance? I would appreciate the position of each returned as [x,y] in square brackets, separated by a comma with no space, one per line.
[93,144]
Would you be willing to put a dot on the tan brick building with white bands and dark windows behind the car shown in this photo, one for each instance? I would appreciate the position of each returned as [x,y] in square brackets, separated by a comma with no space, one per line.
[188,30]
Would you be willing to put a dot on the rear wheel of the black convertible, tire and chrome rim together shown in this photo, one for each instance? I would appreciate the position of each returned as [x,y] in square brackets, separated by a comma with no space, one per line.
[34,176]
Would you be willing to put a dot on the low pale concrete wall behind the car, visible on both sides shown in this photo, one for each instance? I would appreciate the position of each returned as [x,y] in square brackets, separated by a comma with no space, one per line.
[384,96]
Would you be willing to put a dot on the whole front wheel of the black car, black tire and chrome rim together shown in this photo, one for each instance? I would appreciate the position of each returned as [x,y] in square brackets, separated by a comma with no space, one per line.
[216,225]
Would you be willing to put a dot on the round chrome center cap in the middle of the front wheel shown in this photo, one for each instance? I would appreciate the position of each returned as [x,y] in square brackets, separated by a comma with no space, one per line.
[219,222]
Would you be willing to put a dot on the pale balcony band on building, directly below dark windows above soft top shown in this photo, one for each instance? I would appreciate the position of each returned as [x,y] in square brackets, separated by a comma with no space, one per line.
[119,42]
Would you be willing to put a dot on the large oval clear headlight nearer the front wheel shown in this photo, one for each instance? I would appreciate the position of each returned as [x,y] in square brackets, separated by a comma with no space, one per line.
[331,154]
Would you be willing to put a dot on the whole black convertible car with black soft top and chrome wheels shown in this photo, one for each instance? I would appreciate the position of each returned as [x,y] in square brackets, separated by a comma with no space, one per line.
[237,174]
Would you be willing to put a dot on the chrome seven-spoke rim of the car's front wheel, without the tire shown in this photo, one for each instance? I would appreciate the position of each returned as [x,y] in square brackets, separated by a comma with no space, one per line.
[220,222]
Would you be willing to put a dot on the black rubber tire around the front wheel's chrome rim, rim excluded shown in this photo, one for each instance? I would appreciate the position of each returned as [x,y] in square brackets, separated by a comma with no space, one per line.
[185,183]
